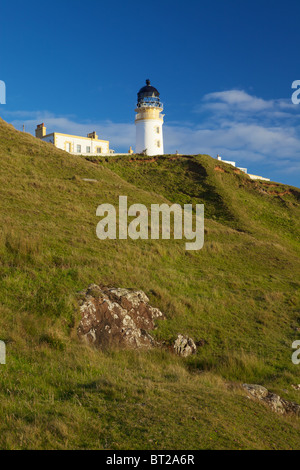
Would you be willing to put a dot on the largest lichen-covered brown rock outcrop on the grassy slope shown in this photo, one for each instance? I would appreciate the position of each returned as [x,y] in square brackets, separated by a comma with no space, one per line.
[117,318]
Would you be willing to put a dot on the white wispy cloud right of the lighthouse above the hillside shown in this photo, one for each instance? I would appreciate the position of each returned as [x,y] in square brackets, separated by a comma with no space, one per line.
[248,129]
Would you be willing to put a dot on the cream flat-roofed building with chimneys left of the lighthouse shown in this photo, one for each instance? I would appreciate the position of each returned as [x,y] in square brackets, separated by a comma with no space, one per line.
[89,145]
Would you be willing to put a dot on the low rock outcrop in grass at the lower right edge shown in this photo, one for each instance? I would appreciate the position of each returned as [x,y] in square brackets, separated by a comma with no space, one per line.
[275,402]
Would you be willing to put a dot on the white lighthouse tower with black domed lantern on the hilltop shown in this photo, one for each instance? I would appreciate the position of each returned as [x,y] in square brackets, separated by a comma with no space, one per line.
[149,121]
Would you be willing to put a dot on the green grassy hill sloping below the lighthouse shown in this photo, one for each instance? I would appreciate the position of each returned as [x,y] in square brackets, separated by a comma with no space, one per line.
[240,294]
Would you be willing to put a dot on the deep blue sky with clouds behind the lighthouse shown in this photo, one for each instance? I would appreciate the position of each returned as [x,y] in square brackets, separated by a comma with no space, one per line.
[224,69]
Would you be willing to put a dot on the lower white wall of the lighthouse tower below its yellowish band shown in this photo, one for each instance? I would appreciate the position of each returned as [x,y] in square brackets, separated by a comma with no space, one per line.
[147,136]
